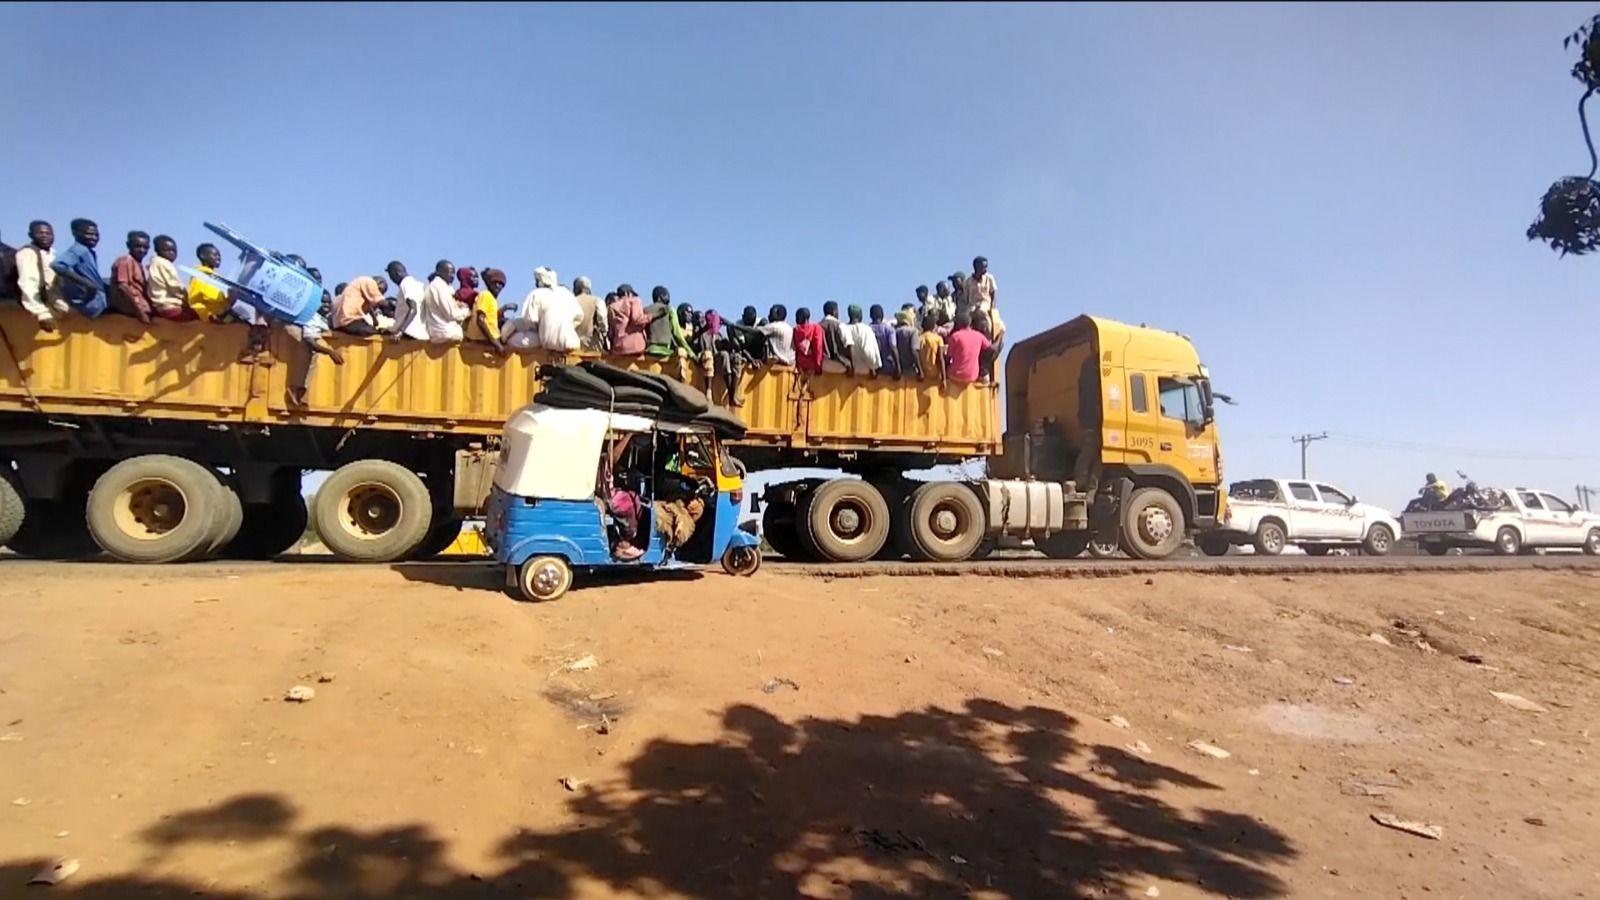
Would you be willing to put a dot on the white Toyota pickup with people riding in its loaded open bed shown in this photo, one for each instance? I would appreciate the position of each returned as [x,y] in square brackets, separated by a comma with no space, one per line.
[1522,521]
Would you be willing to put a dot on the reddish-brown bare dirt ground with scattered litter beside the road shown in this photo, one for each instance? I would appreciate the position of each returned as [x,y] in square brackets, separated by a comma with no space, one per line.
[794,736]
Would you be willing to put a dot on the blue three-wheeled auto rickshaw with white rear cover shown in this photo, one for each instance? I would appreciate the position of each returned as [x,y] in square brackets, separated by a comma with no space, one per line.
[553,510]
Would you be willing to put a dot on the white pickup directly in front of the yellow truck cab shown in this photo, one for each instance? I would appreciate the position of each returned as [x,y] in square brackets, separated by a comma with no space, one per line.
[1274,513]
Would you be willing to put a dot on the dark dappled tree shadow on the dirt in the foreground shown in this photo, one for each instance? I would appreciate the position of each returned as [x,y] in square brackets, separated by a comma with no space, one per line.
[930,803]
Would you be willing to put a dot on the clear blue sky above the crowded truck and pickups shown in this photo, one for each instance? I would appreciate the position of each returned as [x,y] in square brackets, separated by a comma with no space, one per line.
[1329,199]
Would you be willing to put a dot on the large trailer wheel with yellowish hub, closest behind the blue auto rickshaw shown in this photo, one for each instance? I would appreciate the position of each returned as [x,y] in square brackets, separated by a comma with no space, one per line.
[374,512]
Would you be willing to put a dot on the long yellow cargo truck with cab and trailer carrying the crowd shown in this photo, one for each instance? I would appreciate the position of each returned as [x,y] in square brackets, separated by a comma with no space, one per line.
[170,441]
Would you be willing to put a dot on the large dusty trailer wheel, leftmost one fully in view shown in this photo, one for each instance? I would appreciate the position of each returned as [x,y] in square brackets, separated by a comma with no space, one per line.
[156,508]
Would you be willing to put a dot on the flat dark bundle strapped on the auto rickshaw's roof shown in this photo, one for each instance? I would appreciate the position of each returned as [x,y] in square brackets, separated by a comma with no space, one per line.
[594,385]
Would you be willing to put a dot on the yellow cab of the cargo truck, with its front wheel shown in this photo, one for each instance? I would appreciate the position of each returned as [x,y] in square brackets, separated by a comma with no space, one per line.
[1124,417]
